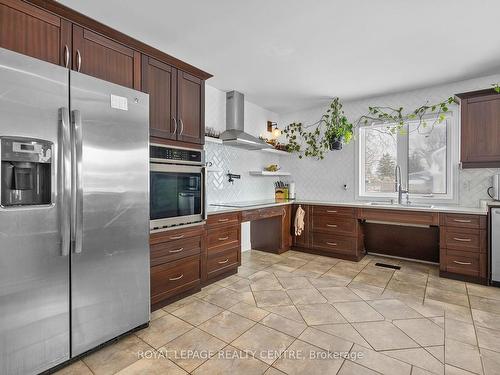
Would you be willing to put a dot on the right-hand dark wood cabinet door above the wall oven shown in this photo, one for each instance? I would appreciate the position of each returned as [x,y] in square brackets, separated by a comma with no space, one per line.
[191,108]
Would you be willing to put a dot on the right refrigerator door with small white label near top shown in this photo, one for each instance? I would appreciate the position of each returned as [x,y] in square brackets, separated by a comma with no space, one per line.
[110,237]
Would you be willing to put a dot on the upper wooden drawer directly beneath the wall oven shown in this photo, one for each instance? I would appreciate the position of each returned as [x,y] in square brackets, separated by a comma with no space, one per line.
[168,251]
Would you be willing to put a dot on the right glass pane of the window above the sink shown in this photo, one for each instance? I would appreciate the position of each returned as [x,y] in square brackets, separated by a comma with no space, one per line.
[427,159]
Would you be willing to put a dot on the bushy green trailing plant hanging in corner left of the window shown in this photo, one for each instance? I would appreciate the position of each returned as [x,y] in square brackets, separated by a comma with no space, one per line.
[337,130]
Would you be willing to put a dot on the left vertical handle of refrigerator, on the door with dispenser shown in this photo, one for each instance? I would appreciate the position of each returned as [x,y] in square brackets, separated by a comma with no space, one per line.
[65,179]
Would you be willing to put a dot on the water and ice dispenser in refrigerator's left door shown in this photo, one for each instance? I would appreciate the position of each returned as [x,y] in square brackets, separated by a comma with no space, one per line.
[26,171]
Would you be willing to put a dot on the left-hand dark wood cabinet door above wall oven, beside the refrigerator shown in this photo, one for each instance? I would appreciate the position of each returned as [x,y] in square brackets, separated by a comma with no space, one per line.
[159,80]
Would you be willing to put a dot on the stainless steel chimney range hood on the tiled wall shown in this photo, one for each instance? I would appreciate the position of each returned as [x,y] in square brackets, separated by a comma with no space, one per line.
[235,125]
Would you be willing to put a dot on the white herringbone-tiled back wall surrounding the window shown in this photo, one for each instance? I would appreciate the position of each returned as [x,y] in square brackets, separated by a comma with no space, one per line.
[324,179]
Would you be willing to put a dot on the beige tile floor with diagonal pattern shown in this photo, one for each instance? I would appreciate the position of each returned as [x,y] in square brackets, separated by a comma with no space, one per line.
[298,313]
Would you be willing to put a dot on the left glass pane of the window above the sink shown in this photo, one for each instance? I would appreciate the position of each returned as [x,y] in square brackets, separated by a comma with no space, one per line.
[380,159]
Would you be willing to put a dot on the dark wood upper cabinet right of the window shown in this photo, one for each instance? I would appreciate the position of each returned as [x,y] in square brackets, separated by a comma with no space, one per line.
[480,129]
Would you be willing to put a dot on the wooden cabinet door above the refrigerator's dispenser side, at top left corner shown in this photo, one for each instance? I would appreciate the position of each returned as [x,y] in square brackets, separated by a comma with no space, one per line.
[34,32]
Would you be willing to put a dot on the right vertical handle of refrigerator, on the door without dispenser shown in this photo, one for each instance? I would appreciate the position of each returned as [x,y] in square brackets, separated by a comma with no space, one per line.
[77,211]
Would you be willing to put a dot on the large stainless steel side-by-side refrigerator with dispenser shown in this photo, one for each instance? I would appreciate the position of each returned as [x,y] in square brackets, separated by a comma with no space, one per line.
[74,214]
